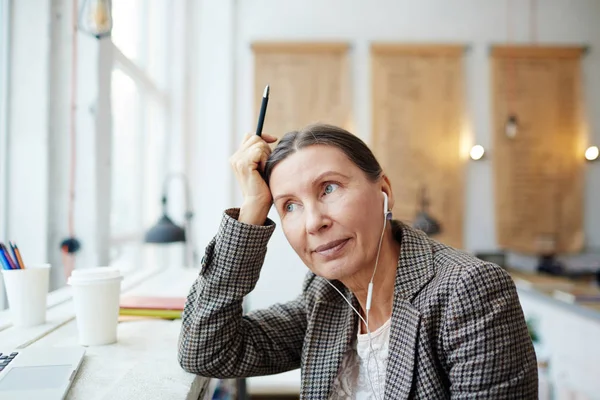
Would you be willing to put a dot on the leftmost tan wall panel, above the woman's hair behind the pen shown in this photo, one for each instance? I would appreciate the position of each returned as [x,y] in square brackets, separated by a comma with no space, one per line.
[309,82]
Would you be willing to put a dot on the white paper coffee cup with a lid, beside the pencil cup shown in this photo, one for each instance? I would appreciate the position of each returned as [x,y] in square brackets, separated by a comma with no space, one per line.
[96,295]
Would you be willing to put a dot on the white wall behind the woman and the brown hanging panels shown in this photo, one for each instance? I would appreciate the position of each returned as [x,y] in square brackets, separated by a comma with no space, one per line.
[477,23]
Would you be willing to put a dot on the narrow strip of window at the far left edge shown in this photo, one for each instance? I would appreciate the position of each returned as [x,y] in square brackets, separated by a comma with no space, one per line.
[4,35]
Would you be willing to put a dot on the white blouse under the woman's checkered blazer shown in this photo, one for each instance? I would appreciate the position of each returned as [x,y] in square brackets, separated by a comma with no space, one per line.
[352,382]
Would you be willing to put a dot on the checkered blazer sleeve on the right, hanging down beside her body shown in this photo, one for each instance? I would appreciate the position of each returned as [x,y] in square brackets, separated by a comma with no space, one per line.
[488,351]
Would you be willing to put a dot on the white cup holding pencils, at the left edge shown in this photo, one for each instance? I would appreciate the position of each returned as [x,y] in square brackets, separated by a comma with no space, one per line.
[27,291]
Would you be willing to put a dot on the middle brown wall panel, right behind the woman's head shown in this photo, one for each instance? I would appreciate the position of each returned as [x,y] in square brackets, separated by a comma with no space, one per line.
[418,117]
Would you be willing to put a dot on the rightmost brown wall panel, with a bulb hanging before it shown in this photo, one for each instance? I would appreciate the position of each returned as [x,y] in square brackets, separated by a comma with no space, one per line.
[538,176]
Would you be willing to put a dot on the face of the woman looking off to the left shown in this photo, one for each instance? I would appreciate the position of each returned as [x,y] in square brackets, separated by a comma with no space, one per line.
[331,214]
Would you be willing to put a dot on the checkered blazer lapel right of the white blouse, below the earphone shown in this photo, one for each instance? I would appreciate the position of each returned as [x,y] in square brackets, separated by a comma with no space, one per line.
[415,269]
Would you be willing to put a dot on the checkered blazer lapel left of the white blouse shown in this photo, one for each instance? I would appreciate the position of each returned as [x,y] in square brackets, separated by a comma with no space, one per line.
[329,334]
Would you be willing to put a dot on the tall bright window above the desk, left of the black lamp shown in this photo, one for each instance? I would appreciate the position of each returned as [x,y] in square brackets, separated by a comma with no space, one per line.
[141,114]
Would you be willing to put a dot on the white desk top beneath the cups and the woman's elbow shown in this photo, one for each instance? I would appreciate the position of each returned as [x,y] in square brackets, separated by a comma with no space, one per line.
[142,364]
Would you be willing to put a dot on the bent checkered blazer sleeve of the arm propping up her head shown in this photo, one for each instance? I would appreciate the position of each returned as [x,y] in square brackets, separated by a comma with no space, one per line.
[216,339]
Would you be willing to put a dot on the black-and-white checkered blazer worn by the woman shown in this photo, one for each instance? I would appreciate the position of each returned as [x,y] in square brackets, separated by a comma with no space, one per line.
[457,330]
